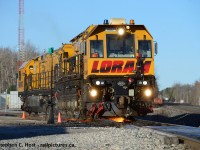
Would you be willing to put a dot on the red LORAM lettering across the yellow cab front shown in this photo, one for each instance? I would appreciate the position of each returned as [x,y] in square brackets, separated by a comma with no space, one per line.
[116,66]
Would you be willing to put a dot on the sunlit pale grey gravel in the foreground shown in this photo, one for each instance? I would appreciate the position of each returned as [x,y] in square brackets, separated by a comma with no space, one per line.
[95,138]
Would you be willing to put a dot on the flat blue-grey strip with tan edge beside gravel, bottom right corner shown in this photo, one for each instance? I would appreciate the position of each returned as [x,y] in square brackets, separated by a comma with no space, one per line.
[190,136]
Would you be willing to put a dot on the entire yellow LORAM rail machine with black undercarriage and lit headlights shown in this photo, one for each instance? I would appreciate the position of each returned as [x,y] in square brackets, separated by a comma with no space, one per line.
[107,69]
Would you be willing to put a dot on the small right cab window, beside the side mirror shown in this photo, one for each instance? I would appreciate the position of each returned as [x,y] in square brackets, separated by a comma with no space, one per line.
[144,47]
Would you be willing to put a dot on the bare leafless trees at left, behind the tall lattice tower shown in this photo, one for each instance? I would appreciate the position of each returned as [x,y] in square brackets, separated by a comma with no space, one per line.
[8,65]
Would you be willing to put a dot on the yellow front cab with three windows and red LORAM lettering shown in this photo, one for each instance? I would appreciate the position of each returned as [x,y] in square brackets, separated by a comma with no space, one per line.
[111,48]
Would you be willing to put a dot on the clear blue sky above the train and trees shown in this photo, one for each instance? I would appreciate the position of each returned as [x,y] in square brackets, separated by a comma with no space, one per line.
[174,24]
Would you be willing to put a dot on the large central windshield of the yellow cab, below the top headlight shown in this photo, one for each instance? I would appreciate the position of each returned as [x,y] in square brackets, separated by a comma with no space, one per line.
[118,46]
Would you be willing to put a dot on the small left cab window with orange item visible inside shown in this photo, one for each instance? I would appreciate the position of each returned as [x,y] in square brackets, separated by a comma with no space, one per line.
[96,49]
